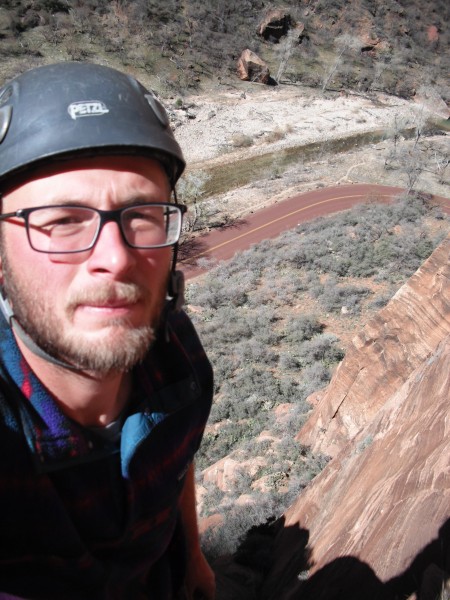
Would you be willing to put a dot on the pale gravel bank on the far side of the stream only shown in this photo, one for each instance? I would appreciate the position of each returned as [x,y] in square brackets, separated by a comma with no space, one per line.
[210,124]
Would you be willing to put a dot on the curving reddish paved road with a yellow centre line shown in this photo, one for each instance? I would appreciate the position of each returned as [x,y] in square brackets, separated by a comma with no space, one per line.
[222,244]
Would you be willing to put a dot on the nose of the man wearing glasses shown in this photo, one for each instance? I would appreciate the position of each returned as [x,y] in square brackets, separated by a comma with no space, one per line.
[110,253]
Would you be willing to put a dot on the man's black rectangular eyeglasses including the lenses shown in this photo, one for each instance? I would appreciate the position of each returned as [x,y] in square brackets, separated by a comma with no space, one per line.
[69,229]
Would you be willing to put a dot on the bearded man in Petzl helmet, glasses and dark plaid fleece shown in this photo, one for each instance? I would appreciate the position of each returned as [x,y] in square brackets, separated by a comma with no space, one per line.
[104,386]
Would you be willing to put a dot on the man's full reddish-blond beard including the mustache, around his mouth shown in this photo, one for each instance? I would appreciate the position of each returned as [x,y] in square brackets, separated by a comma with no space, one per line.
[117,345]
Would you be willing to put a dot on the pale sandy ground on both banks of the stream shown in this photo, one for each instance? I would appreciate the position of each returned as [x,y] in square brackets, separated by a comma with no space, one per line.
[210,129]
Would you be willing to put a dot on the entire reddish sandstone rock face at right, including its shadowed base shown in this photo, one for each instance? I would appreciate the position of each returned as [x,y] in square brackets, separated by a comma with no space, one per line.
[375,524]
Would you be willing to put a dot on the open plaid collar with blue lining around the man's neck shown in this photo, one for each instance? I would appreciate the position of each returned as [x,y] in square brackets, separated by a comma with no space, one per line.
[56,441]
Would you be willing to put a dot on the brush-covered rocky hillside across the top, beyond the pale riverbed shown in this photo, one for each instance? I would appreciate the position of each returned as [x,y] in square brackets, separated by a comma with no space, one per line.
[181,45]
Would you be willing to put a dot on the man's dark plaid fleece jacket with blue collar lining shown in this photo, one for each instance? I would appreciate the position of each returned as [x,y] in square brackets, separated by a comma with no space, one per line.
[82,517]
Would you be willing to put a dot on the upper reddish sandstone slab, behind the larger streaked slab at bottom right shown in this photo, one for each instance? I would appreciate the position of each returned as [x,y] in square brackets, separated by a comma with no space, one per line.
[383,356]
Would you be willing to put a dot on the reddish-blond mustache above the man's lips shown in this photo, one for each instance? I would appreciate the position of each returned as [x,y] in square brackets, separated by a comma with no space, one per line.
[107,294]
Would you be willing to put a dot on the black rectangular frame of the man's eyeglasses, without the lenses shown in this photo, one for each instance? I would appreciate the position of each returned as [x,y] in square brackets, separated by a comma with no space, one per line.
[106,216]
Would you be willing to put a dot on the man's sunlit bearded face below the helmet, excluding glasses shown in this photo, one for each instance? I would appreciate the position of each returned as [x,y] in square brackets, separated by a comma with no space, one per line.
[96,309]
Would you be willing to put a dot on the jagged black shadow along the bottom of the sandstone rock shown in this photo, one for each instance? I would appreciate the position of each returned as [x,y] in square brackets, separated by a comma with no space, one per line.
[273,562]
